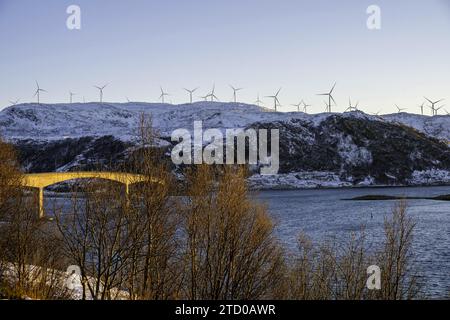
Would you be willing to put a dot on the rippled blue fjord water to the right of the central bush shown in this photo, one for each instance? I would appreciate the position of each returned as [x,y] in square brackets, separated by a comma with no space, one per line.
[322,214]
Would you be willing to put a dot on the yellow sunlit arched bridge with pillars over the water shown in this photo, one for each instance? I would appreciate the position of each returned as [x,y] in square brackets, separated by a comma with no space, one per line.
[42,180]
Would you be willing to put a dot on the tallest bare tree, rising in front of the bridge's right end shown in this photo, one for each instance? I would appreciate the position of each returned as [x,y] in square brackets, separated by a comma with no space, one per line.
[155,272]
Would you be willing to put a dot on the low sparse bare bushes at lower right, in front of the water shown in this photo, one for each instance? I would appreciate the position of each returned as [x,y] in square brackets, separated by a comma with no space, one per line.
[337,270]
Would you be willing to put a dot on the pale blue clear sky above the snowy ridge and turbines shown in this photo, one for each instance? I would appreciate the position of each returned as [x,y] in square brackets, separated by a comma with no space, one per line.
[260,45]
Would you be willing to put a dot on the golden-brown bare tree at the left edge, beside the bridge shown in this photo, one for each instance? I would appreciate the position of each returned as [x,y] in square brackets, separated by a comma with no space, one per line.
[30,255]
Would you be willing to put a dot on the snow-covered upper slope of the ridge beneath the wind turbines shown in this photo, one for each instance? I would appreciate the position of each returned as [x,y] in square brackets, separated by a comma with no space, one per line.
[58,121]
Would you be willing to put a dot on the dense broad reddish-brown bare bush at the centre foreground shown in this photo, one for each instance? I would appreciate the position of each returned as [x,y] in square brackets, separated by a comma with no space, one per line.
[230,249]
